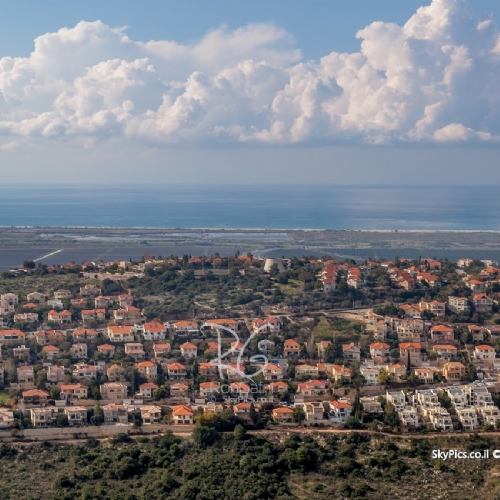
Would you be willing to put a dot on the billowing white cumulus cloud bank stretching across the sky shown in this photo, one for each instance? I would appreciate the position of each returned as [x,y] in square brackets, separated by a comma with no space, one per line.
[434,80]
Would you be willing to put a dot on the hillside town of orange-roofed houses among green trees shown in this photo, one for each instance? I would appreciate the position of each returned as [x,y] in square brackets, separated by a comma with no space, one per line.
[399,346]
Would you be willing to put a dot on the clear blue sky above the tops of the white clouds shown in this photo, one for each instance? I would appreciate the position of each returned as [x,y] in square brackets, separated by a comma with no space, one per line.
[319,26]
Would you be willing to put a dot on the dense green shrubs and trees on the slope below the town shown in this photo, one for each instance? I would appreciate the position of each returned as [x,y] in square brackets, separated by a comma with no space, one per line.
[236,465]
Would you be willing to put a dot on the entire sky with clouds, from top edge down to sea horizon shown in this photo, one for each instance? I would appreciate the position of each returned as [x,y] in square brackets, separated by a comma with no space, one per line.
[224,92]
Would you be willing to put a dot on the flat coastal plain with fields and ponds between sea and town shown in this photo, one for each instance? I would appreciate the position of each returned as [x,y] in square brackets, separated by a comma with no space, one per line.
[56,245]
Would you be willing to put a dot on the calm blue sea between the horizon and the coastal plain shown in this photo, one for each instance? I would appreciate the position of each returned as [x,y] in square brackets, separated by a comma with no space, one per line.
[253,206]
